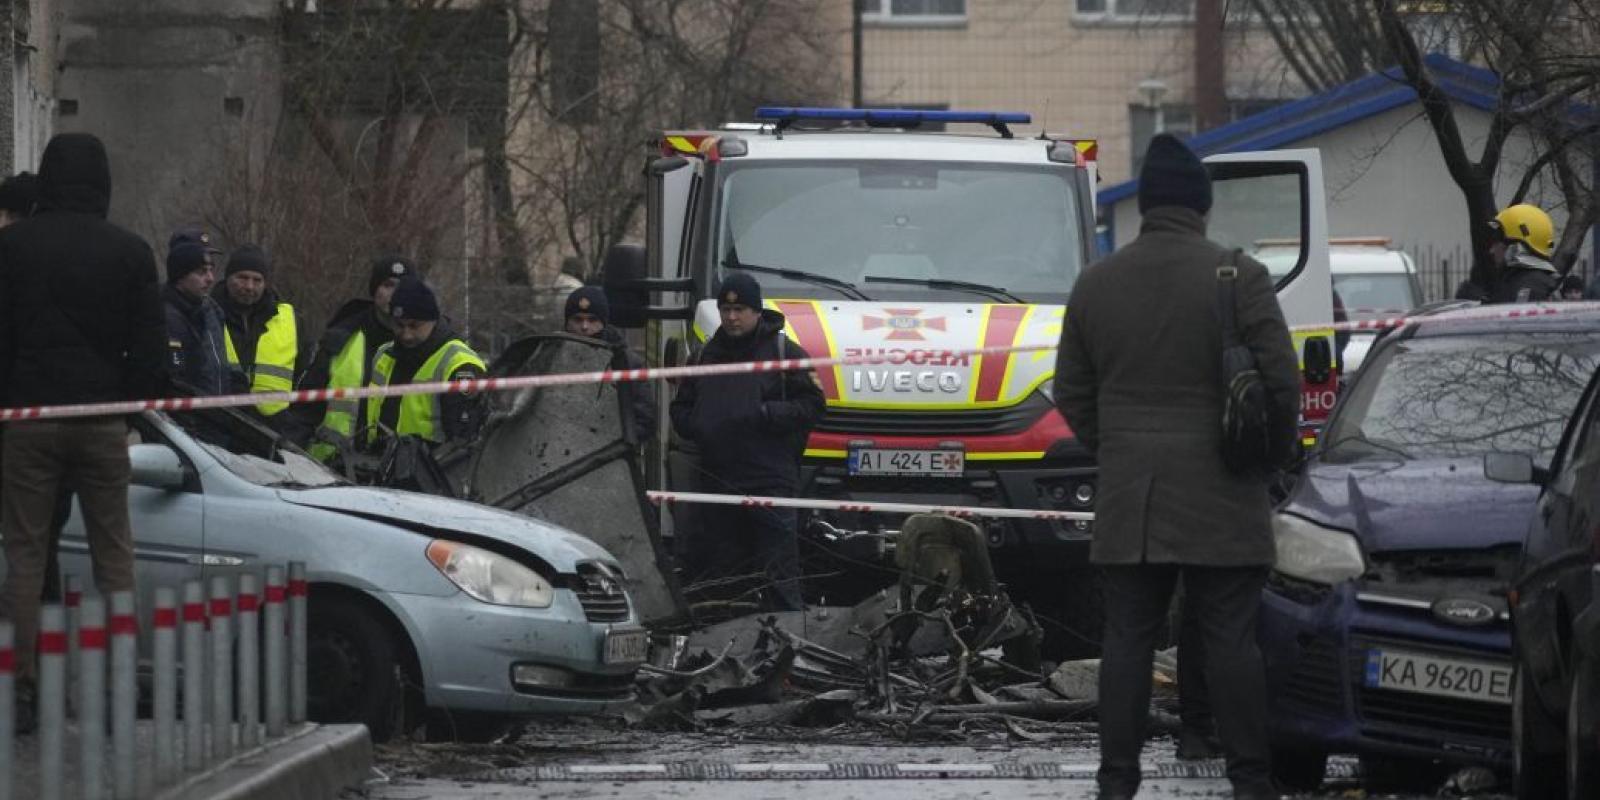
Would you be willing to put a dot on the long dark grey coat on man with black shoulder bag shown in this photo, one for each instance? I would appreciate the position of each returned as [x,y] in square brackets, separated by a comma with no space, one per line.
[1138,378]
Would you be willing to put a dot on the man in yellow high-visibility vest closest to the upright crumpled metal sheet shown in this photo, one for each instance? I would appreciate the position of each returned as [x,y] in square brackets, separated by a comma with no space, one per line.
[425,351]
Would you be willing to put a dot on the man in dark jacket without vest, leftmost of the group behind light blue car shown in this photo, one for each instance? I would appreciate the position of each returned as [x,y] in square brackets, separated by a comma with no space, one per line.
[196,356]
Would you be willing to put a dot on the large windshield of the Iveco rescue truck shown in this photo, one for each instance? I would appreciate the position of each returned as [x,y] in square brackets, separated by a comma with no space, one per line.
[1007,226]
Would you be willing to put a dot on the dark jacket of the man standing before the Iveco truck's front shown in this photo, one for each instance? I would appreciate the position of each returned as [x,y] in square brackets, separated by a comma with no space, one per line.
[751,428]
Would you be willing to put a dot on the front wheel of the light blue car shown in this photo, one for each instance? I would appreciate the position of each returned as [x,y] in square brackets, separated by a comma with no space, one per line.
[353,670]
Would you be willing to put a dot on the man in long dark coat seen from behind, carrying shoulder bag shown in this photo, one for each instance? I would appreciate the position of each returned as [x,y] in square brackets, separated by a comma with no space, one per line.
[1140,382]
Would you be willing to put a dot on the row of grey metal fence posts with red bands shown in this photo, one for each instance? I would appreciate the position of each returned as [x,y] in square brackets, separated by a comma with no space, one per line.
[218,716]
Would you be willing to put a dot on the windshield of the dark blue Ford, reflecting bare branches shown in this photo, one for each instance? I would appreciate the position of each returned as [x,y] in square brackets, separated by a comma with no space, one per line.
[1465,396]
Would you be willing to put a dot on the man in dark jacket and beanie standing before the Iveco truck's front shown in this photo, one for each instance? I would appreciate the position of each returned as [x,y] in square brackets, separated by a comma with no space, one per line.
[751,431]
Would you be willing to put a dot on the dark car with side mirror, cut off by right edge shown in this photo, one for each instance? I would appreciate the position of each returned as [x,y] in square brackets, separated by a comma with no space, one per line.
[1558,622]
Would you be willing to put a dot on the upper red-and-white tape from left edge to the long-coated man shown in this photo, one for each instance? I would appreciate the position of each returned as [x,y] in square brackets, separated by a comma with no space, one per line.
[465,386]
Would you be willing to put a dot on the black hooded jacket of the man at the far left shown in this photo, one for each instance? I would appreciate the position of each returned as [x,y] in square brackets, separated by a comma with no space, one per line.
[81,306]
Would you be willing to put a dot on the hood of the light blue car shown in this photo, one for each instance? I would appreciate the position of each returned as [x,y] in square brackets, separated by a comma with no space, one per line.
[561,548]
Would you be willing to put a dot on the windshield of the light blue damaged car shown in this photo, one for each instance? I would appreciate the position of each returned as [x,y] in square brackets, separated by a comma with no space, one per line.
[254,450]
